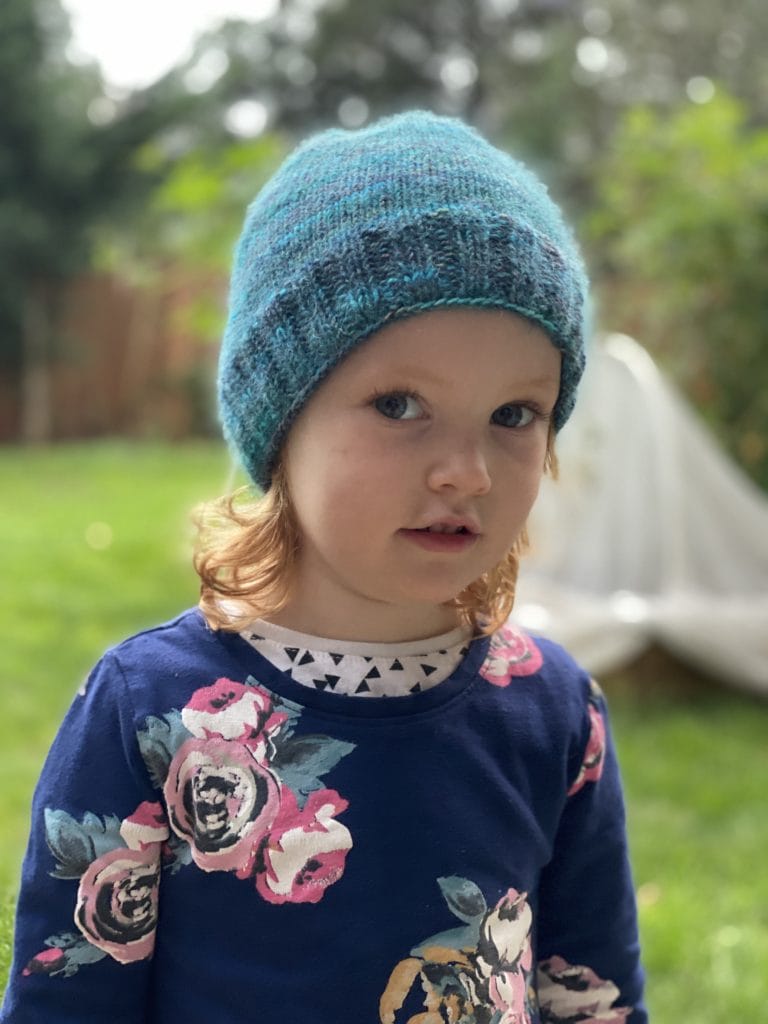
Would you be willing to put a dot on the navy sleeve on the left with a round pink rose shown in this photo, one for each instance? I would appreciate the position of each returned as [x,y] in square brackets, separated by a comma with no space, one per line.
[90,881]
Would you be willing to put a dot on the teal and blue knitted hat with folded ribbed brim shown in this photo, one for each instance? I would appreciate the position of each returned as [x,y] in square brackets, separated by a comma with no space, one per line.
[359,229]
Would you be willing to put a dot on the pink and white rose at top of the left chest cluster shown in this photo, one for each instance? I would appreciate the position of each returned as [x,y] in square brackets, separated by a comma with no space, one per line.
[234,711]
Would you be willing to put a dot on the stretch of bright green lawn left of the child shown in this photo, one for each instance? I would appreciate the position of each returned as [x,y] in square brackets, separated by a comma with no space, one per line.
[97,545]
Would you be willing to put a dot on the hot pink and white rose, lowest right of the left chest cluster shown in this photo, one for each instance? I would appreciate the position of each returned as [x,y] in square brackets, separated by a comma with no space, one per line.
[307,850]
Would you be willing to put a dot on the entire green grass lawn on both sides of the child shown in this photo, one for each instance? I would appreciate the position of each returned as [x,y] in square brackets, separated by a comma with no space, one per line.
[97,545]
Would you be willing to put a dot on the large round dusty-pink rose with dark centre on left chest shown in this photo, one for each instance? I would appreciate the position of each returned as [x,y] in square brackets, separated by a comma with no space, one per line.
[222,800]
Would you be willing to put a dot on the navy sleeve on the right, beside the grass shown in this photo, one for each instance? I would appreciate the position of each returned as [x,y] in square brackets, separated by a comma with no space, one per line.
[588,949]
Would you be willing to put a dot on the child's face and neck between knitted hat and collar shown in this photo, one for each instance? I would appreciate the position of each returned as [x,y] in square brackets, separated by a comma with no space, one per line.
[438,421]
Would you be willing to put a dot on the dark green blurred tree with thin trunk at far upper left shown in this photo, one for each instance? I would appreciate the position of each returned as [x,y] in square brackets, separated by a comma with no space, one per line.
[66,162]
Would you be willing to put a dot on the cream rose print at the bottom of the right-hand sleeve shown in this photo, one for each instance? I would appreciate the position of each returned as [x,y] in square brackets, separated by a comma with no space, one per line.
[569,993]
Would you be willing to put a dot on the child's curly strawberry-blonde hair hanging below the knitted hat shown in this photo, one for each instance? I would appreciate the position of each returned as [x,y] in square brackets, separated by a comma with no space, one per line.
[247,550]
